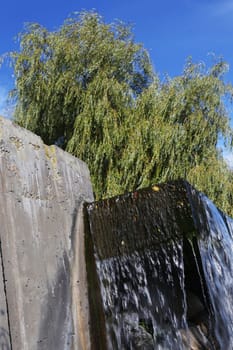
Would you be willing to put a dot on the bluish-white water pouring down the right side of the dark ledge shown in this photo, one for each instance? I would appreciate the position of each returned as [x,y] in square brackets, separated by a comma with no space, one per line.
[216,249]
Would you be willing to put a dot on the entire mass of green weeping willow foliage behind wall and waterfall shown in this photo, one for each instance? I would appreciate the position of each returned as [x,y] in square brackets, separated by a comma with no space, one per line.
[91,89]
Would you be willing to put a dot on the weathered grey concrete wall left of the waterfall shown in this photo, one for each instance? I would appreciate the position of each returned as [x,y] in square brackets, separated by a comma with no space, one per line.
[42,282]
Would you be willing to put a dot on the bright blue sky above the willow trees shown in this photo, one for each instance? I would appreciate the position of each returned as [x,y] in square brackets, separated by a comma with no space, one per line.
[170,30]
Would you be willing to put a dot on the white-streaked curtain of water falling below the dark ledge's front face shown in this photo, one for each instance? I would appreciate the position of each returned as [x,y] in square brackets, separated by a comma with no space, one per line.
[142,299]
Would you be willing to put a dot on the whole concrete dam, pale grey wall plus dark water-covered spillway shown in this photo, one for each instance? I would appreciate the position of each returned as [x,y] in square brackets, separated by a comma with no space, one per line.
[151,269]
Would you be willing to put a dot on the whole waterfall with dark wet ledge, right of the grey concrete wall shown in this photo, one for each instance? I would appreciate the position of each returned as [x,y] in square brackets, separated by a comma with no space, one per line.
[159,271]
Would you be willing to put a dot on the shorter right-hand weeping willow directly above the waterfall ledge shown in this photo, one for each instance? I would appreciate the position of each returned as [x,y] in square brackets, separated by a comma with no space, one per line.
[177,126]
